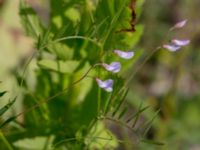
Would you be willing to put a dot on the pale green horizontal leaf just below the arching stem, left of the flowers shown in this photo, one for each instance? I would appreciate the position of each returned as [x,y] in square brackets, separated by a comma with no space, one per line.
[59,66]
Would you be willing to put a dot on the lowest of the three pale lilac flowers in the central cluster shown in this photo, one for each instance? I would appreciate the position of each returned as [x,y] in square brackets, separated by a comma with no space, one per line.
[107,85]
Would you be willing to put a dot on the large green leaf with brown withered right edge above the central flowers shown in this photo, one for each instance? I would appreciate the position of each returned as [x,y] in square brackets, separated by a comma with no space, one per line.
[119,27]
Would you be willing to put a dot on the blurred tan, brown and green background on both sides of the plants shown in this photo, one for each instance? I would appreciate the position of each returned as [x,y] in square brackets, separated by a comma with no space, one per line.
[169,81]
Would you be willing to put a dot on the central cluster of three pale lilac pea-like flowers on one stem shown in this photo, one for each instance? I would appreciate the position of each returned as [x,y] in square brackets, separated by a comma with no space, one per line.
[113,67]
